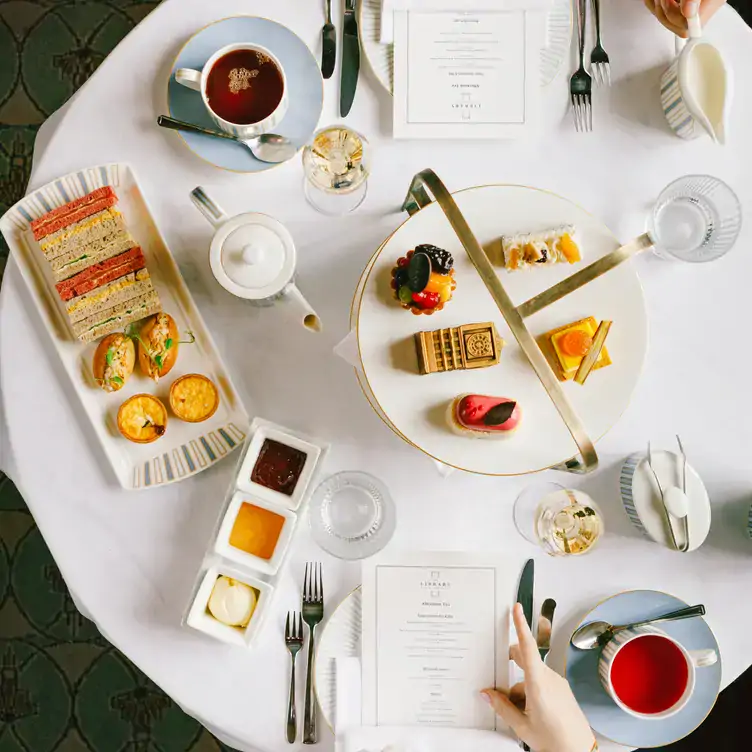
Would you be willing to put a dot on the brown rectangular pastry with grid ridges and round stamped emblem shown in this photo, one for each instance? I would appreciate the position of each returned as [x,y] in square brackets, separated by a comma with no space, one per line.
[458,348]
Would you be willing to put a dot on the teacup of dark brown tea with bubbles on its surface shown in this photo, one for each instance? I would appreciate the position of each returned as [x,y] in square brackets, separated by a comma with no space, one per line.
[243,87]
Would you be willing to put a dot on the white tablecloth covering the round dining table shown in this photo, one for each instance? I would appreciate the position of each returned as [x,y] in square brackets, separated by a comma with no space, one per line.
[130,559]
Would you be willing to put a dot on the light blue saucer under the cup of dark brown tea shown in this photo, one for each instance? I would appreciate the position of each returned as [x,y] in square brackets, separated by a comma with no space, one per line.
[305,86]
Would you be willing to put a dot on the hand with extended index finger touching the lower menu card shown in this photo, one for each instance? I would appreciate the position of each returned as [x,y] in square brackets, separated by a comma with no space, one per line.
[542,710]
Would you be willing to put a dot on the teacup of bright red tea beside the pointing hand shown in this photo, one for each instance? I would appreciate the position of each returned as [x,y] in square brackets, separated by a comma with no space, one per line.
[650,674]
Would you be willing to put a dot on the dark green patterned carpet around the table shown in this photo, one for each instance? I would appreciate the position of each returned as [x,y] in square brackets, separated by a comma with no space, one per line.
[62,686]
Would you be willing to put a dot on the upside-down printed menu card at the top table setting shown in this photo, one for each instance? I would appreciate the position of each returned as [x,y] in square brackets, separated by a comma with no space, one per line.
[467,73]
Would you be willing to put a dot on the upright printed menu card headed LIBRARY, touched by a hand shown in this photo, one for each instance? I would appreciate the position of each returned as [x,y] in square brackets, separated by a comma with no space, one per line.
[435,632]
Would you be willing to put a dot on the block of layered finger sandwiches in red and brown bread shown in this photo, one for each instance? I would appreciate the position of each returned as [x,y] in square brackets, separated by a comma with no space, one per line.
[99,270]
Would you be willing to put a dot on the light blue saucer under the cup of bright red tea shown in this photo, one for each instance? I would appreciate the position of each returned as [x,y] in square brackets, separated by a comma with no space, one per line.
[604,715]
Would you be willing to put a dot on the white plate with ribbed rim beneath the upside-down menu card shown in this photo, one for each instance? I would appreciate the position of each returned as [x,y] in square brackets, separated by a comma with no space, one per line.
[380,56]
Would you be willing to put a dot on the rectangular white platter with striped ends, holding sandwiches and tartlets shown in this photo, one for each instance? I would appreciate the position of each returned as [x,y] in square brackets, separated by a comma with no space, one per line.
[186,448]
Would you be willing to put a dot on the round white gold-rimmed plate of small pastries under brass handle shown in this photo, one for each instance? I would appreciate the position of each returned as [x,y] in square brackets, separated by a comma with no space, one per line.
[415,405]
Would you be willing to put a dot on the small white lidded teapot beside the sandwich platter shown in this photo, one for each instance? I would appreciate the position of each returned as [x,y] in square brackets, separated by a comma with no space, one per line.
[253,256]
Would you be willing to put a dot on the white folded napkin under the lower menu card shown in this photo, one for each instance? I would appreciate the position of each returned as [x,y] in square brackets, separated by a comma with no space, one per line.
[351,736]
